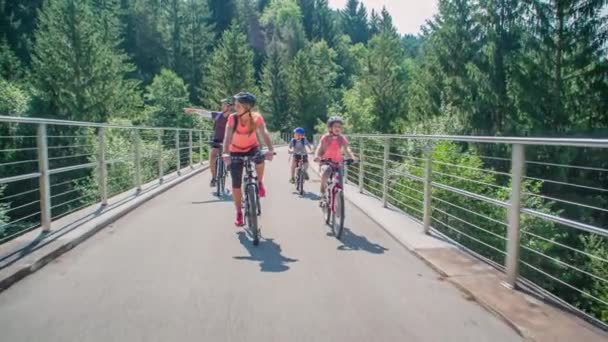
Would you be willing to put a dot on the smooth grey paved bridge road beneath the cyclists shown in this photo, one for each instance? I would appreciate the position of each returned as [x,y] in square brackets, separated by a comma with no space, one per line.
[176,269]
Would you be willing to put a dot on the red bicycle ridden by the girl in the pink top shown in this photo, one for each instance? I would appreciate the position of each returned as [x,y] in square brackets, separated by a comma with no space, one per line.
[333,207]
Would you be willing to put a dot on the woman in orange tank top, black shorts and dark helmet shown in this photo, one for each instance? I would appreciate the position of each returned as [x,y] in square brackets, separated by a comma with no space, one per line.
[241,140]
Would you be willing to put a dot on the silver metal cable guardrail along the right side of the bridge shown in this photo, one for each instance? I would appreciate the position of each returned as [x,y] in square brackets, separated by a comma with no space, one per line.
[484,195]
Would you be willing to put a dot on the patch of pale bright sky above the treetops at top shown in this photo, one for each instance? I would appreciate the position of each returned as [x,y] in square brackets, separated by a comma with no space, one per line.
[408,15]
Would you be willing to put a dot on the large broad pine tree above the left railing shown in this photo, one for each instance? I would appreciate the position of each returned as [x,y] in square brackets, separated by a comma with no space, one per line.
[79,75]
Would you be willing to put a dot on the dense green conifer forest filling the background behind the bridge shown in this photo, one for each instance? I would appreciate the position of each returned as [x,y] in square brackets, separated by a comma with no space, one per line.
[480,67]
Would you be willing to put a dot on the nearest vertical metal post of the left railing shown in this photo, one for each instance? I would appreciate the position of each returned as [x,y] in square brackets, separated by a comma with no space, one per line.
[44,180]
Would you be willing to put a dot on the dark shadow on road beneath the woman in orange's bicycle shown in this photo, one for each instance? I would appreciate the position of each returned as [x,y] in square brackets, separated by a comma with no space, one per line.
[267,253]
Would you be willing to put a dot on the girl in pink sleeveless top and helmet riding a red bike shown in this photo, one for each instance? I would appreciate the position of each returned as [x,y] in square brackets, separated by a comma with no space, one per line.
[331,146]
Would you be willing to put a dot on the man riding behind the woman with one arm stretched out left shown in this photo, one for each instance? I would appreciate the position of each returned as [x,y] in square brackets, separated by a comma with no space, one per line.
[220,120]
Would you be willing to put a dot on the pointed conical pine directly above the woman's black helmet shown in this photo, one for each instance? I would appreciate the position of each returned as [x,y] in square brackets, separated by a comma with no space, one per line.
[231,68]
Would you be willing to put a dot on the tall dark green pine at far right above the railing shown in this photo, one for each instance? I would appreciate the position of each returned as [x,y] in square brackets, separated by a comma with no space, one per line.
[566,66]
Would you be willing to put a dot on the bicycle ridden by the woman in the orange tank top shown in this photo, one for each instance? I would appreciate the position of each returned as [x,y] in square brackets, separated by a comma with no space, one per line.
[252,208]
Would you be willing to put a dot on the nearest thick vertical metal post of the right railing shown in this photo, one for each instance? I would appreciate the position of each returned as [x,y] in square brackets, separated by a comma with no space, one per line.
[517,173]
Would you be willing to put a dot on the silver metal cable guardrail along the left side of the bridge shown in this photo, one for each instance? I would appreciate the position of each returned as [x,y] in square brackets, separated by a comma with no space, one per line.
[56,167]
